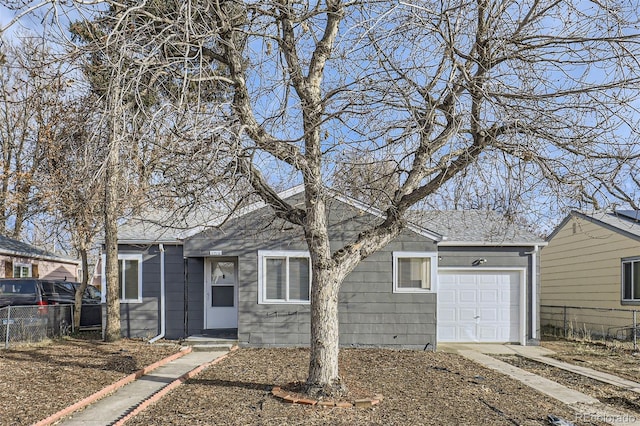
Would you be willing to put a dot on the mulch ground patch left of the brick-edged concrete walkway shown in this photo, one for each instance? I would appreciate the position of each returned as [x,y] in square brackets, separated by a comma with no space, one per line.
[38,380]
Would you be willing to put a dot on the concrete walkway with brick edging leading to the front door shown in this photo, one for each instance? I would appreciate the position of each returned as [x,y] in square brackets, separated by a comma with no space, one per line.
[111,409]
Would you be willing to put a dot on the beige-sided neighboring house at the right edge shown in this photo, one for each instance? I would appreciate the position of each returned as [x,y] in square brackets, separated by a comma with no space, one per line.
[592,261]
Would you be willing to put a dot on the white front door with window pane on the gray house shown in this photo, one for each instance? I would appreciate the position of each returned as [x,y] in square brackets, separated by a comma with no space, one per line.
[221,293]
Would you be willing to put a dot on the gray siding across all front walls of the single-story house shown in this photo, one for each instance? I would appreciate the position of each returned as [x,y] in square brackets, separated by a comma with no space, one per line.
[370,313]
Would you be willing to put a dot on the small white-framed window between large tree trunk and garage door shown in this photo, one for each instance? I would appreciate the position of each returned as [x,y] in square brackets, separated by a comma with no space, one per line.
[414,272]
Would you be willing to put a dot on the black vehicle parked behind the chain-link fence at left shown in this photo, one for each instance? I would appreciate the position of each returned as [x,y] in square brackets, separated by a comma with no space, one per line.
[32,291]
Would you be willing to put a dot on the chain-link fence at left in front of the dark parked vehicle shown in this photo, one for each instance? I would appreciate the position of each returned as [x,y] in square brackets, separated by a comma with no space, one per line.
[31,324]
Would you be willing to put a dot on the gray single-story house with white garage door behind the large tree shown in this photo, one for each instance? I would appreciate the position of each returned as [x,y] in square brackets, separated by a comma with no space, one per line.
[455,276]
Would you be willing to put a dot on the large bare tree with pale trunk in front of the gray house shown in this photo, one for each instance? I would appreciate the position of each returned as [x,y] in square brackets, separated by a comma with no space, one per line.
[543,91]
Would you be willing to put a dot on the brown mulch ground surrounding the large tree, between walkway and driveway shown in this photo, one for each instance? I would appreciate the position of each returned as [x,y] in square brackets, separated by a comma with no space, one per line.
[418,388]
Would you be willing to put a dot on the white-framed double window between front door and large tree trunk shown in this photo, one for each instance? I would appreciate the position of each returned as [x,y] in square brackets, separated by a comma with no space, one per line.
[284,277]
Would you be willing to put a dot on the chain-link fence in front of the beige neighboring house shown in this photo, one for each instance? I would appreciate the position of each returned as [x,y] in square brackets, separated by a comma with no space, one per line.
[574,322]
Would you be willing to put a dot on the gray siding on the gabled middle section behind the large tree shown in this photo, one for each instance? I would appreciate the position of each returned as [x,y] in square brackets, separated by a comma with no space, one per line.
[370,313]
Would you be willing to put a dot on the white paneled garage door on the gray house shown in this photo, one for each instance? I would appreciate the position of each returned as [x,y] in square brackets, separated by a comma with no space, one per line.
[479,306]
